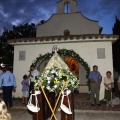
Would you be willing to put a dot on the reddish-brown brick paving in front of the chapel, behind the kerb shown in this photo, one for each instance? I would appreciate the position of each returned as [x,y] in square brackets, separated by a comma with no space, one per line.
[81,102]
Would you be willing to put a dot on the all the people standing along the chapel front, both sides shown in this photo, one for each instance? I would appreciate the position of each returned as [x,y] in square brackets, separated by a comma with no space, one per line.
[8,85]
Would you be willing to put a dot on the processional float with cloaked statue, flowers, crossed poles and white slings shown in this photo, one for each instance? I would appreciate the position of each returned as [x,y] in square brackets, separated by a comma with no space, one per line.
[56,78]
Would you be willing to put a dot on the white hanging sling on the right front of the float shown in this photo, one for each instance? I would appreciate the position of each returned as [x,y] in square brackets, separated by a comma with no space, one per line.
[67,110]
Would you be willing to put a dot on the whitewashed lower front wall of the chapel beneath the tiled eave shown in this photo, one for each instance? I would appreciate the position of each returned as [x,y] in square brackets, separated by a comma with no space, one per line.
[87,50]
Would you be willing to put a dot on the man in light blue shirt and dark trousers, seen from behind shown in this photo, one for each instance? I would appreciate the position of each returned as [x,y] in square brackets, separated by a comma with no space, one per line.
[8,84]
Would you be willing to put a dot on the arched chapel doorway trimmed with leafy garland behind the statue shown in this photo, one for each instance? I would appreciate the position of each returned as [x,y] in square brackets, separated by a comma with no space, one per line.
[82,68]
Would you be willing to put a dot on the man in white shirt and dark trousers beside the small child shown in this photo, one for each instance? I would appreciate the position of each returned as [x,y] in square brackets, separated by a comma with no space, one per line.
[34,73]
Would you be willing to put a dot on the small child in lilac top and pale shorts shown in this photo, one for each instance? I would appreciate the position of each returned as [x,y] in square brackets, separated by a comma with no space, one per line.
[25,89]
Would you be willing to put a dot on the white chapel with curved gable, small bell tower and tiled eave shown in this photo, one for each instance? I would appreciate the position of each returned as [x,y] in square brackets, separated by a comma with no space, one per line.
[72,31]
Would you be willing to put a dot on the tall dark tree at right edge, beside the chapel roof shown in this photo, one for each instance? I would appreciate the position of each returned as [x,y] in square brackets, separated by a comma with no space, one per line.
[116,45]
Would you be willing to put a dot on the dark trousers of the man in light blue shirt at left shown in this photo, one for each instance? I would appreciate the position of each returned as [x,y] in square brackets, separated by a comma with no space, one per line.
[7,95]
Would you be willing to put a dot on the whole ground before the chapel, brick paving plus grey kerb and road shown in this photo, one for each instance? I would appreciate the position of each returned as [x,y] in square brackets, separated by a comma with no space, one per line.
[83,111]
